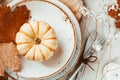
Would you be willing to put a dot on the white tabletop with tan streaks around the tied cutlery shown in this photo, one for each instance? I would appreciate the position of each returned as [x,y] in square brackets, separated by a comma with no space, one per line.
[102,23]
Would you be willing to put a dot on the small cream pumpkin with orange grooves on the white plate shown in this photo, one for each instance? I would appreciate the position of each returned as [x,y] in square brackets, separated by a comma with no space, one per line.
[36,41]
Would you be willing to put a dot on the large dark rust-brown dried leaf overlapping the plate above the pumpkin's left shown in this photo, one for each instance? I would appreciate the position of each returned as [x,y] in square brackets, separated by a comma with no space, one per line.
[11,21]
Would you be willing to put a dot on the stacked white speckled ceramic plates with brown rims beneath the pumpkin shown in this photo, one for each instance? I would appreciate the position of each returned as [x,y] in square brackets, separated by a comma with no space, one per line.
[66,27]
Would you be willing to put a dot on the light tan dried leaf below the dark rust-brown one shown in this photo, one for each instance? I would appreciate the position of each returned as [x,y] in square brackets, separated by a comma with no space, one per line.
[9,57]
